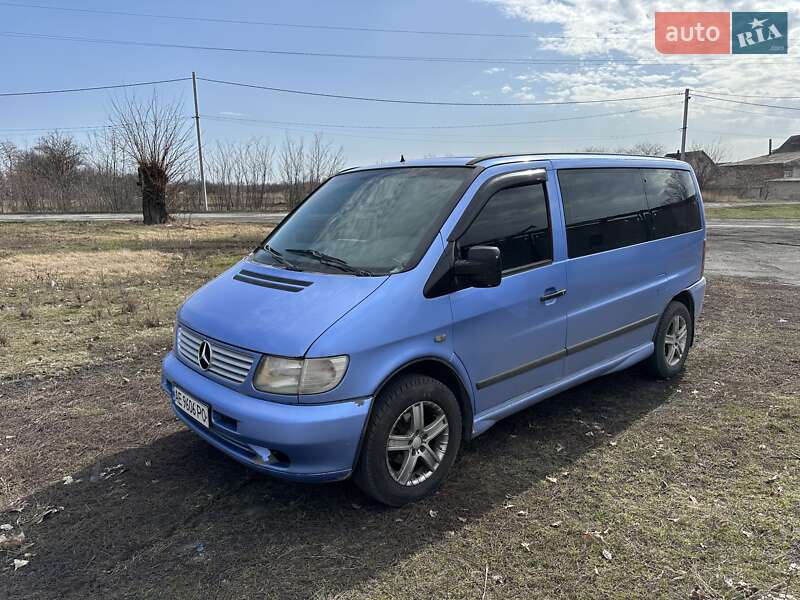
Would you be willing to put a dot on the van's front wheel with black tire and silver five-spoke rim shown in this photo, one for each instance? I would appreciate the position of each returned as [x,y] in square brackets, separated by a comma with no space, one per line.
[411,442]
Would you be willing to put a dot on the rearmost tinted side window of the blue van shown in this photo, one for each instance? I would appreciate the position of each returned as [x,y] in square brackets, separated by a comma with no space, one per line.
[672,200]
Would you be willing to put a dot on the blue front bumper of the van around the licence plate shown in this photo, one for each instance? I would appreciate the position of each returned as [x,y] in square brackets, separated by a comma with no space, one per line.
[291,441]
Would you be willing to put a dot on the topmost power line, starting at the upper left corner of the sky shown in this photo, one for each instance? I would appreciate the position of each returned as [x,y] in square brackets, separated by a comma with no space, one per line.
[471,34]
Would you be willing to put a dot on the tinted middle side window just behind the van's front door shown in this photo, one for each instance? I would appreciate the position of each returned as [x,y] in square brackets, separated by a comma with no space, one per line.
[603,209]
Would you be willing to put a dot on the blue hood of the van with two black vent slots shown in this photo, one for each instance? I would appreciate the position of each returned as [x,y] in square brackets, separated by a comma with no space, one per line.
[271,310]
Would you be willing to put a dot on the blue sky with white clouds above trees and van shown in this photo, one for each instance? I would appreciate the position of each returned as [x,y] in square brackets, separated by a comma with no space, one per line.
[581,51]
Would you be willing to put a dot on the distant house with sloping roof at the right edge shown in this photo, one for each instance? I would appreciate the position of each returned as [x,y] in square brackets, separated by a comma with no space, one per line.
[774,176]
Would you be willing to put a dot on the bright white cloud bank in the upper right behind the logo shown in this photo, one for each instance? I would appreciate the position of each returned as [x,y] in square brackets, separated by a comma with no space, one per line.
[624,29]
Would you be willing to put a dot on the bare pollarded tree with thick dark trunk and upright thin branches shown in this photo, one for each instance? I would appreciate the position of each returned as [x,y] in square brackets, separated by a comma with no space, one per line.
[157,137]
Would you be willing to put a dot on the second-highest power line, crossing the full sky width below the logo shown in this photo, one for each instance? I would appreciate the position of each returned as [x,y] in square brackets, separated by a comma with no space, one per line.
[382,57]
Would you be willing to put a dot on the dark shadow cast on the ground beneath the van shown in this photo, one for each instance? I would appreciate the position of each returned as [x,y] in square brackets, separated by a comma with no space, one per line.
[176,518]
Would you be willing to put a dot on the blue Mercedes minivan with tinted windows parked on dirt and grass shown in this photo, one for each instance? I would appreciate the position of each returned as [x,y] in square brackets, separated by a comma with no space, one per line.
[403,309]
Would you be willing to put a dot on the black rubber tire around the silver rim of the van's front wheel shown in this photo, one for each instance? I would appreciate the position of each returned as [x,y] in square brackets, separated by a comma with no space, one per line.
[373,473]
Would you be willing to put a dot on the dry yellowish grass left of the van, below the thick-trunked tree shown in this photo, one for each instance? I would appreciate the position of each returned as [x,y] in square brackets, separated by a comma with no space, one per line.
[75,294]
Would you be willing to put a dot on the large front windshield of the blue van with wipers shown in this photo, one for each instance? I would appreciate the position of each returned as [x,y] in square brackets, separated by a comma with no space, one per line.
[368,222]
